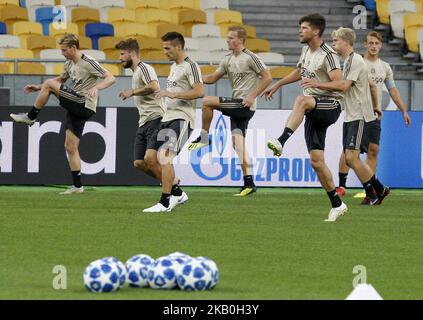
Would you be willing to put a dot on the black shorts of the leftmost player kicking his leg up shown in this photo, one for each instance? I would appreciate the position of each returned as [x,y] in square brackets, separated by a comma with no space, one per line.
[77,114]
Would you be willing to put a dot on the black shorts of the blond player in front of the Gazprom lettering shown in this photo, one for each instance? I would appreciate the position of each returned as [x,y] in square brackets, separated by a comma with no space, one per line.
[240,116]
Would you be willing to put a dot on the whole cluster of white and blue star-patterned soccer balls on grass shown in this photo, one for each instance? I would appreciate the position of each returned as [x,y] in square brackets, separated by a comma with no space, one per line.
[177,270]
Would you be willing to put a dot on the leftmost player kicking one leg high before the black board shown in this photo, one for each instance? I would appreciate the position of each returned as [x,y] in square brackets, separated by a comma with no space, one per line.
[88,78]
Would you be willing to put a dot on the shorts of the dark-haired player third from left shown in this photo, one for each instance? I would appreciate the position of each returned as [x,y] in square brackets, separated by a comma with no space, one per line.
[172,135]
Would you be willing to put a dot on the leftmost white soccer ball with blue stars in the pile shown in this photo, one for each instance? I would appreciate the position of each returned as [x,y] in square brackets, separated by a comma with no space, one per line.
[102,275]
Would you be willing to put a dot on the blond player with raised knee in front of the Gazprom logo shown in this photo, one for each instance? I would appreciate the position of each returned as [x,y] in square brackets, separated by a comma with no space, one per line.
[248,77]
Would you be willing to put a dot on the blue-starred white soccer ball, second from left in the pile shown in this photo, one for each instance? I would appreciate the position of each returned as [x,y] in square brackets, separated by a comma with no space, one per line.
[138,267]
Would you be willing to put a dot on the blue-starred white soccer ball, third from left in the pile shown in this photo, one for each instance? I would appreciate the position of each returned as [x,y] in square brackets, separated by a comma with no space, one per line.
[163,273]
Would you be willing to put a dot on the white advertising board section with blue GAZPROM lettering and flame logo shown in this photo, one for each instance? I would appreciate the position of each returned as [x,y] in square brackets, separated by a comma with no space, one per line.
[218,164]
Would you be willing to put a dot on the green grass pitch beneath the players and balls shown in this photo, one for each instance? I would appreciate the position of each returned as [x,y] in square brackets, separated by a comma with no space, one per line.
[272,245]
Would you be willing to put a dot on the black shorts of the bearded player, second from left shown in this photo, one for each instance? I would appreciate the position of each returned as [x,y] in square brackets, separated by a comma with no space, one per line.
[146,138]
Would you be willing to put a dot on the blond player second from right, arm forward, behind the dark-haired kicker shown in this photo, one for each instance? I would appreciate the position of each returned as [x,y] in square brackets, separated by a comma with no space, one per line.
[360,107]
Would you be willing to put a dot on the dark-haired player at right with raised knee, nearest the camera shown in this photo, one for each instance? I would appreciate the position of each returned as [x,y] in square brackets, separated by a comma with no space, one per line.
[320,107]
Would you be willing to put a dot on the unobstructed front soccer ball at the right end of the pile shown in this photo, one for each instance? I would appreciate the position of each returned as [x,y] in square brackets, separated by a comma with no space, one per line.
[196,275]
